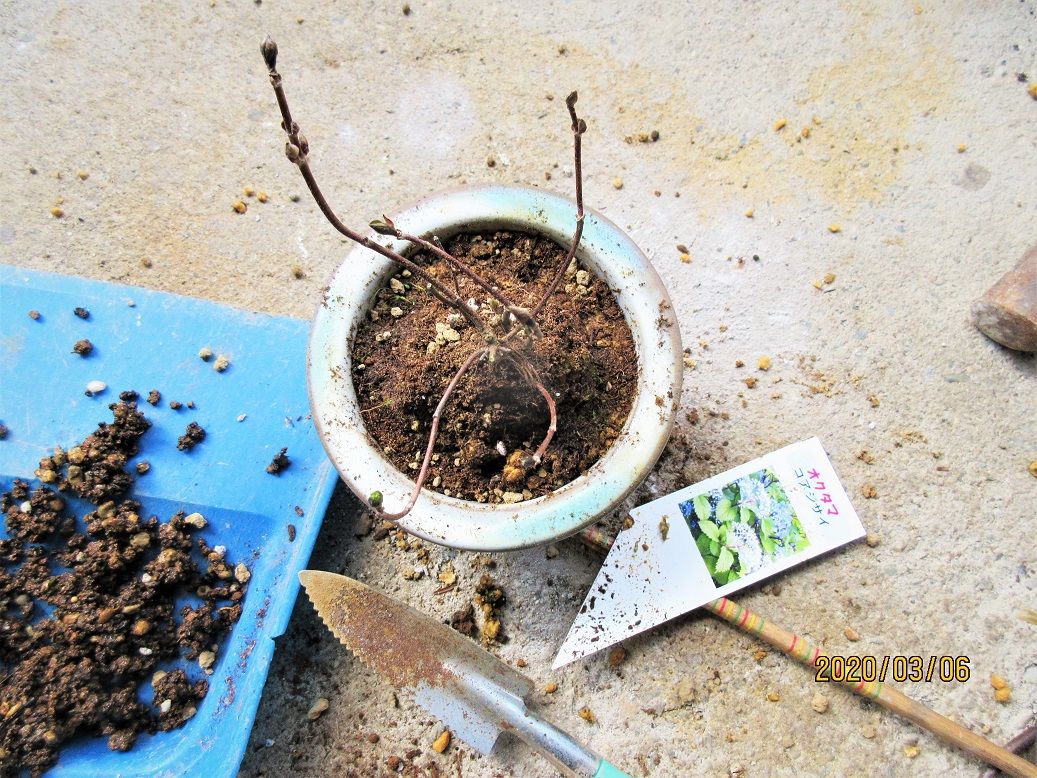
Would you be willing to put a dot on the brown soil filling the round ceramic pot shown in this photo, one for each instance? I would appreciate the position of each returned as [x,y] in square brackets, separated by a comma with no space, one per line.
[412,344]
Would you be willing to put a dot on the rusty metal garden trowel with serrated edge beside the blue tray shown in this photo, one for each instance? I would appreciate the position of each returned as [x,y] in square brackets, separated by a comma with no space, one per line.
[472,692]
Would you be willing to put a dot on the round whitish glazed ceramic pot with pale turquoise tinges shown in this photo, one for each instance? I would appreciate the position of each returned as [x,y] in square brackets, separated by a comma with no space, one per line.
[463,524]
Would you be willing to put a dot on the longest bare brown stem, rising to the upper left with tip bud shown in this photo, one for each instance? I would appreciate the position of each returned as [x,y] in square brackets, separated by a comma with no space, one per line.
[297,151]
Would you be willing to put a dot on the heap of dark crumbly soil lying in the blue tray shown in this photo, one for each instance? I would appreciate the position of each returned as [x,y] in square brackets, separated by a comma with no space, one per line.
[87,618]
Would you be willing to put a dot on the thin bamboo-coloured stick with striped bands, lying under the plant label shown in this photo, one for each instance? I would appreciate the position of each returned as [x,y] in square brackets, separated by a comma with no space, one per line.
[807,653]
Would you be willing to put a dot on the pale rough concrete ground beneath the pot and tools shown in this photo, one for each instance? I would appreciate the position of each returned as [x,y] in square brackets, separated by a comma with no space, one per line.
[921,150]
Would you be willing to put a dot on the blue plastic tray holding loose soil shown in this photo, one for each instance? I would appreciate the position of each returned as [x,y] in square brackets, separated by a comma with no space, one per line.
[155,345]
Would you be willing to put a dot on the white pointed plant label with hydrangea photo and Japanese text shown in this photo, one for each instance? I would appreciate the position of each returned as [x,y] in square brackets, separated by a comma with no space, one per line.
[713,539]
